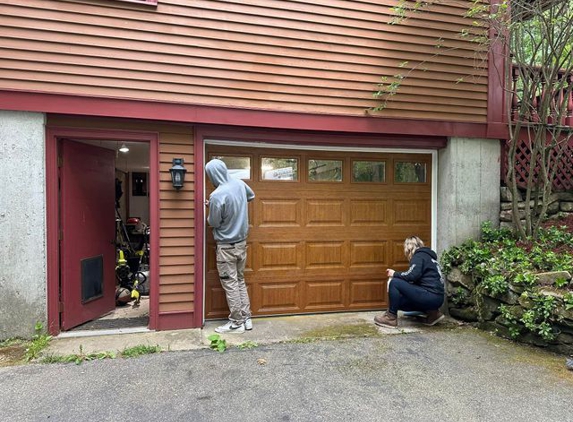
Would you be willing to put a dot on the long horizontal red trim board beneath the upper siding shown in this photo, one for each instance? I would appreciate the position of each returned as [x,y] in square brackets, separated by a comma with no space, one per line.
[200,114]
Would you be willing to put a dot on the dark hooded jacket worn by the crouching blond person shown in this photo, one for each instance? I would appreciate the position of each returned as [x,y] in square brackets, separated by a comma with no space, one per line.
[425,271]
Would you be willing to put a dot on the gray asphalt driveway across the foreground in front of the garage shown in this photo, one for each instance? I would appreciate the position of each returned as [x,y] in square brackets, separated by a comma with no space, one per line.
[438,374]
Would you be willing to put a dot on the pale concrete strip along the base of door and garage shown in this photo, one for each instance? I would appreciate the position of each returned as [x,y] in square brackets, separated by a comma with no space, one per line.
[266,330]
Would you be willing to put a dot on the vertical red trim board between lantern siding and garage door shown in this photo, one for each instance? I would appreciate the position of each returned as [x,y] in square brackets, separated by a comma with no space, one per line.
[199,164]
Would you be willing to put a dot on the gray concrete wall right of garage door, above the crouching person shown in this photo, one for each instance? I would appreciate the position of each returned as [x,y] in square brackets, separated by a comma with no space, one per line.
[468,189]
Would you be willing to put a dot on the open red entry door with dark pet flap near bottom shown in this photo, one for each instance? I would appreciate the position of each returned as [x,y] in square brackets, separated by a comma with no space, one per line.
[87,221]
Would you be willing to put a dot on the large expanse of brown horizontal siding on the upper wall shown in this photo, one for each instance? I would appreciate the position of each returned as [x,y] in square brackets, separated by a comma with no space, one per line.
[316,56]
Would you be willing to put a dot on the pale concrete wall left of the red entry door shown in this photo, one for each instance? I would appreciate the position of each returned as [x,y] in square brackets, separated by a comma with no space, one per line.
[22,223]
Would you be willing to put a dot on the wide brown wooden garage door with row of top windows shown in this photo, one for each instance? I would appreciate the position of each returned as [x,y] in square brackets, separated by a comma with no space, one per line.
[325,226]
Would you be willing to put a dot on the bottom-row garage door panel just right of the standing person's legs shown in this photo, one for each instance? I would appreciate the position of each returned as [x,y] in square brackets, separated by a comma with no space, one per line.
[278,297]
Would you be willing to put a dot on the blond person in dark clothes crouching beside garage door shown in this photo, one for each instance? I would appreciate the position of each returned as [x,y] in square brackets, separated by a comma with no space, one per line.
[420,288]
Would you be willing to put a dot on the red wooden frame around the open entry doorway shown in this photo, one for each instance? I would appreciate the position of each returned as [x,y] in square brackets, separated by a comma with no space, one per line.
[52,211]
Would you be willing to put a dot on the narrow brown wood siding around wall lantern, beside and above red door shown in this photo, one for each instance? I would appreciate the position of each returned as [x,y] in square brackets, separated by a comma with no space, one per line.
[177,223]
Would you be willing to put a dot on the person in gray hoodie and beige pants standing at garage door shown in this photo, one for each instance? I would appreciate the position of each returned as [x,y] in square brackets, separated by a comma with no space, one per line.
[228,216]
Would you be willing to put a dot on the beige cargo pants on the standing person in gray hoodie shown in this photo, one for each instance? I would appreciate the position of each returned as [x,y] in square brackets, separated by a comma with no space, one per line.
[231,259]
